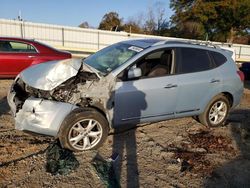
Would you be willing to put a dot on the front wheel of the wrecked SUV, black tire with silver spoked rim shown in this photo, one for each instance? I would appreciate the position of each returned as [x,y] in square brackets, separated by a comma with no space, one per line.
[76,127]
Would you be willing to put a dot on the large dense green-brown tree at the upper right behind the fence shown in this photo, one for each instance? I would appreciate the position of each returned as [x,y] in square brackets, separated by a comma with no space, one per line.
[221,20]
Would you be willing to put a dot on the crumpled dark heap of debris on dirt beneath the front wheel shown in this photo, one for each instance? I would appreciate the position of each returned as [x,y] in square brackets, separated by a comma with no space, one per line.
[59,160]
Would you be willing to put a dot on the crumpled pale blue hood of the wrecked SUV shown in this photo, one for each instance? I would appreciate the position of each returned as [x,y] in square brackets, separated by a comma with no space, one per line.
[47,76]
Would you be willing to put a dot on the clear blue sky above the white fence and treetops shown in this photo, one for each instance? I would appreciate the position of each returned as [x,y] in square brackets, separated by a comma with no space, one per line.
[74,12]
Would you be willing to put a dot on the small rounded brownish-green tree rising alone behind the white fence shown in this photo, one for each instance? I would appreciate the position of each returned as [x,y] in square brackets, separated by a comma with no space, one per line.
[110,21]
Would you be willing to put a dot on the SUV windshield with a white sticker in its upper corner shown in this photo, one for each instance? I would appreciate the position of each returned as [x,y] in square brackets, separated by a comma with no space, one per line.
[112,57]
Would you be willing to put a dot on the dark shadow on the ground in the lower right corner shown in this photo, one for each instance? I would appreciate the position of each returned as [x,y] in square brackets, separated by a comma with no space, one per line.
[235,173]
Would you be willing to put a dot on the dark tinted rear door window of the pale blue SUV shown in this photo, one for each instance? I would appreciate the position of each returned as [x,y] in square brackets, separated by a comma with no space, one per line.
[193,60]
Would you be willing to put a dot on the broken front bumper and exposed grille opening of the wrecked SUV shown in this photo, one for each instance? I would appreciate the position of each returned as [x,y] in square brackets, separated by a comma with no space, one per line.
[35,110]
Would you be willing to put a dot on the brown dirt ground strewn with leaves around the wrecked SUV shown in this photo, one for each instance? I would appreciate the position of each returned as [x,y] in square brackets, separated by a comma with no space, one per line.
[174,153]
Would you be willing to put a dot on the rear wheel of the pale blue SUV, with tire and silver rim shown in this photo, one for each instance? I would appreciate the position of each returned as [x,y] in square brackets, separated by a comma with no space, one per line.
[210,121]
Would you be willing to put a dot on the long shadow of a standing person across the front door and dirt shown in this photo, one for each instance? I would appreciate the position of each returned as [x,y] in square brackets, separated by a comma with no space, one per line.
[124,141]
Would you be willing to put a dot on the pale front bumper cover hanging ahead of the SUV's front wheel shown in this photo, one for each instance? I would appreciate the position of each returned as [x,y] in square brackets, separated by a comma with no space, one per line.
[42,116]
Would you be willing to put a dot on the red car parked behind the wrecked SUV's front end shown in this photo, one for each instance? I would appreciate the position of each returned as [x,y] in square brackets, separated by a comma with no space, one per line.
[17,54]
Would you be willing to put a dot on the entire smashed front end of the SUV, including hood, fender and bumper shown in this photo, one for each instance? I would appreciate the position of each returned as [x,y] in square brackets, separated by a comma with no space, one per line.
[40,103]
